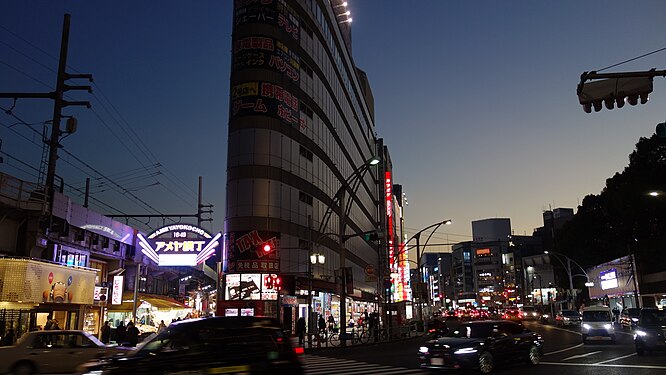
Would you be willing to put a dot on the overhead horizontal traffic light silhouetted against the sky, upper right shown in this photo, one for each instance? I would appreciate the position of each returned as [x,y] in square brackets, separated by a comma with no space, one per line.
[613,91]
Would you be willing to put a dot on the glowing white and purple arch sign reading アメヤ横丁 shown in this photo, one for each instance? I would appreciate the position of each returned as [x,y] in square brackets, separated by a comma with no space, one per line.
[179,245]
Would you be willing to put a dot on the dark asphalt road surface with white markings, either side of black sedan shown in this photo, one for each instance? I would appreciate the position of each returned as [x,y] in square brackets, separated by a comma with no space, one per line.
[564,353]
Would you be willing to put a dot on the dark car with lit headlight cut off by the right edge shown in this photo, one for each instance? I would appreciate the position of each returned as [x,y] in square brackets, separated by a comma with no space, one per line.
[649,333]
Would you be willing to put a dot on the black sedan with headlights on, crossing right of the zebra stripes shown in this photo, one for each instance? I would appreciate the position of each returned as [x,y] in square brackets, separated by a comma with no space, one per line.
[480,345]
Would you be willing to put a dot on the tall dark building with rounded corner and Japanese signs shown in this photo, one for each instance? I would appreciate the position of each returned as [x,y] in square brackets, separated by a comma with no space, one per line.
[301,131]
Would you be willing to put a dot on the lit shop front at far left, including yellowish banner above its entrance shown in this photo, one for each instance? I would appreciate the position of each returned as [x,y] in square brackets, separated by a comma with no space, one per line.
[34,290]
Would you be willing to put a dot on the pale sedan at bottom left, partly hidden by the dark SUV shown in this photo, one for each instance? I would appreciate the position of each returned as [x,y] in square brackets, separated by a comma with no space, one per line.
[53,352]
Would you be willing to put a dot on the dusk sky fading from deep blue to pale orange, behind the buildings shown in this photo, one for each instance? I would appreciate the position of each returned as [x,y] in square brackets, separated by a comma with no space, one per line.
[476,100]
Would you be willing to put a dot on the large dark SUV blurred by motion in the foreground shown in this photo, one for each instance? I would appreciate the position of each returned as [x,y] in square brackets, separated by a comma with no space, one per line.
[229,345]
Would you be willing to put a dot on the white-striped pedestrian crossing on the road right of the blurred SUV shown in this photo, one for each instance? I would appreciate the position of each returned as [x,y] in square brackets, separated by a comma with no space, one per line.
[318,365]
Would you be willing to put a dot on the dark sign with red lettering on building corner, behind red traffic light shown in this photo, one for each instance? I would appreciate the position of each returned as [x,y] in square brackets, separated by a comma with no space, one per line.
[246,252]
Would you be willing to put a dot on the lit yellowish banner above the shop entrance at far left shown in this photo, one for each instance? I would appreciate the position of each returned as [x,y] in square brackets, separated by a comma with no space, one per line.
[31,281]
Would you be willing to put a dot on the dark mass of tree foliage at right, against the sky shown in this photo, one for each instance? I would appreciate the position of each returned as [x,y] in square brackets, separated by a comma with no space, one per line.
[624,218]
